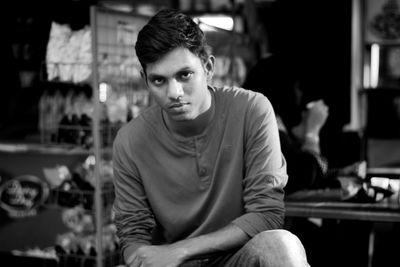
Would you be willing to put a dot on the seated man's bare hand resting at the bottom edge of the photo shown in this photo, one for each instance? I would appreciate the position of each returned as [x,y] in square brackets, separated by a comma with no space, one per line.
[156,256]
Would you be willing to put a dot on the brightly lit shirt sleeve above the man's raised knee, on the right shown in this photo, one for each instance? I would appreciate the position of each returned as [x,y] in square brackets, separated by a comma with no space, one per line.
[265,171]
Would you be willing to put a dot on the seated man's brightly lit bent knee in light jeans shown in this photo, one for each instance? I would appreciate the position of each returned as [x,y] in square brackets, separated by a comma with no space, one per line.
[279,248]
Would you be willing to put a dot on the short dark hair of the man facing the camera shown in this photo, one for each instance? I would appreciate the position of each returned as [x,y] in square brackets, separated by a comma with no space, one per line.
[167,30]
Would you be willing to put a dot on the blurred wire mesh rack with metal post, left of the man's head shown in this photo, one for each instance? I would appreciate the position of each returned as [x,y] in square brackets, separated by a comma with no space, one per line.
[115,75]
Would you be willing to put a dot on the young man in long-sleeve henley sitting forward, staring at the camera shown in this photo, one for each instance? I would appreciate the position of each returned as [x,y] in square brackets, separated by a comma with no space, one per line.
[199,177]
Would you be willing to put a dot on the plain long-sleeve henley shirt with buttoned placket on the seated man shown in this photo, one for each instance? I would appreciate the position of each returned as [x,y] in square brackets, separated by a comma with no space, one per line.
[170,187]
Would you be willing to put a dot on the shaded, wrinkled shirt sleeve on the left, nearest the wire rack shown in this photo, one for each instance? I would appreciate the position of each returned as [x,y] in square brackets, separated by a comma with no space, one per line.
[133,217]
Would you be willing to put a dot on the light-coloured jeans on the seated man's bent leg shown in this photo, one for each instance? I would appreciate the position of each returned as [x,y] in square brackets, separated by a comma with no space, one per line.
[274,248]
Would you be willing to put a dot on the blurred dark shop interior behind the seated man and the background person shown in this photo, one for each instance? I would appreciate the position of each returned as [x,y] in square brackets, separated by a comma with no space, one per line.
[70,79]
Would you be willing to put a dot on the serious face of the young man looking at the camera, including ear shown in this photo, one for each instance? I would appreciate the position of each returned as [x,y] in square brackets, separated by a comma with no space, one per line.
[178,83]
